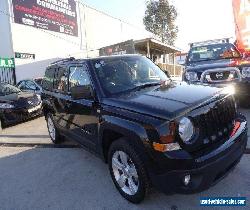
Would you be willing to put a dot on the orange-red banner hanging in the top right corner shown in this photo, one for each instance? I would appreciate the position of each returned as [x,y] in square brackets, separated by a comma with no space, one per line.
[241,9]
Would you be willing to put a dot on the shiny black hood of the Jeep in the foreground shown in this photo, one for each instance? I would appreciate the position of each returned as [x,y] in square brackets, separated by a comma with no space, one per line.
[166,103]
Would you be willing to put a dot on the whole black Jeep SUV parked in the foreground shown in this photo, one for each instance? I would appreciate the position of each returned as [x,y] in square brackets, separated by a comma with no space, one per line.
[178,137]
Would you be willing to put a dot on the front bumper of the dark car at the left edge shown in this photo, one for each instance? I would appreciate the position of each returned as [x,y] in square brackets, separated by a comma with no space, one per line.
[16,115]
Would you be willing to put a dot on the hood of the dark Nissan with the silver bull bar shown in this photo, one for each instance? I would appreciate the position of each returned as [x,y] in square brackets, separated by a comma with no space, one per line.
[204,65]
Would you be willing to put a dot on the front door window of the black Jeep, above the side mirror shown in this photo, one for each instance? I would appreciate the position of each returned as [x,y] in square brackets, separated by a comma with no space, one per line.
[78,76]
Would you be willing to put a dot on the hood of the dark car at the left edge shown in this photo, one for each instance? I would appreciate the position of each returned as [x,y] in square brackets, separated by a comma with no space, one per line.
[21,99]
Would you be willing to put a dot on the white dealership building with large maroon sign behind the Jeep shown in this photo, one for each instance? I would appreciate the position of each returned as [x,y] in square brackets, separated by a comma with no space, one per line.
[37,32]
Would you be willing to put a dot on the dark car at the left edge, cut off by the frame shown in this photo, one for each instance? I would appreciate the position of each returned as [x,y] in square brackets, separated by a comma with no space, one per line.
[17,106]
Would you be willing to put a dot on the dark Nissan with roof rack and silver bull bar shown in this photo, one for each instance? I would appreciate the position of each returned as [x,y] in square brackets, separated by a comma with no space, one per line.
[218,62]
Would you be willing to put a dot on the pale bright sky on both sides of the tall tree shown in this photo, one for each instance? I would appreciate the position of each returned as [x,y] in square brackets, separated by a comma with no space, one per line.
[197,19]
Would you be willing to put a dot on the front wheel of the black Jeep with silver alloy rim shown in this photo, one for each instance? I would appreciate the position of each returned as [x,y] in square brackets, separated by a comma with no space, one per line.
[128,171]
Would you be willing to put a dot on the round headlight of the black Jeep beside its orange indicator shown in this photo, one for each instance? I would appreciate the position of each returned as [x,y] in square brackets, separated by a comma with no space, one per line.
[186,129]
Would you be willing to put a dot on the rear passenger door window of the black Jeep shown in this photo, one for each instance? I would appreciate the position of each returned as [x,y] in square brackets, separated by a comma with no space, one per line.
[61,80]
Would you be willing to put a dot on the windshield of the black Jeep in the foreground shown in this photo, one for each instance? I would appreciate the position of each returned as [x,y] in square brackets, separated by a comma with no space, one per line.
[121,74]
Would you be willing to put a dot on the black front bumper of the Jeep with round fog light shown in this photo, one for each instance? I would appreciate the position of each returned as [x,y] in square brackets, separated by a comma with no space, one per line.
[210,169]
